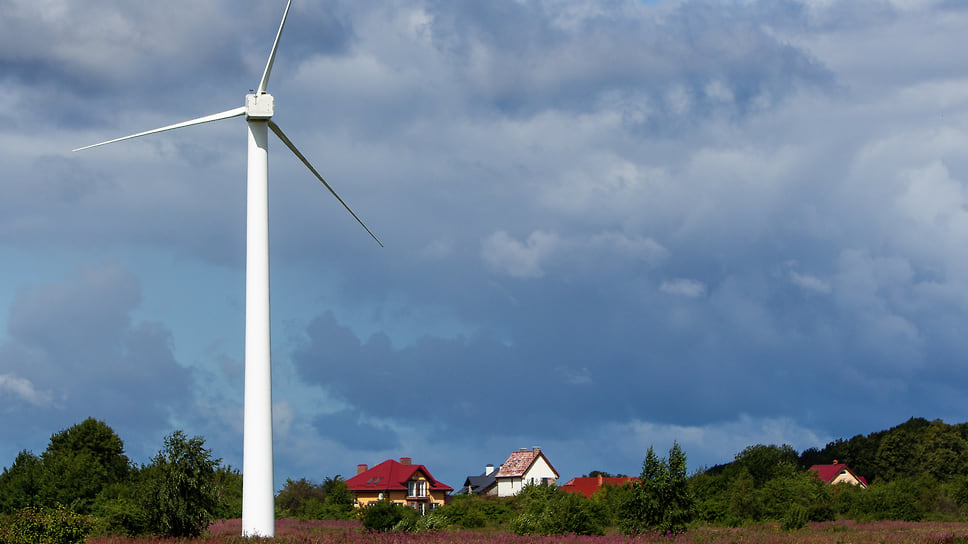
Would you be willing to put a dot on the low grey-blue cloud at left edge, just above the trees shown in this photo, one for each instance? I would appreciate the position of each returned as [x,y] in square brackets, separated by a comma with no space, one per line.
[76,347]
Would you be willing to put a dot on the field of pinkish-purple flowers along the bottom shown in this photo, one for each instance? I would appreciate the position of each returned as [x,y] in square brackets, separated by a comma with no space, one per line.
[350,532]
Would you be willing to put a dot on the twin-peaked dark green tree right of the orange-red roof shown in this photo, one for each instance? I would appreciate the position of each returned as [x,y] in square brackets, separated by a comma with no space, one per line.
[661,501]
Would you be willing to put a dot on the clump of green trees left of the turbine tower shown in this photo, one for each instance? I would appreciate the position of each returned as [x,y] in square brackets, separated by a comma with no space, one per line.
[84,471]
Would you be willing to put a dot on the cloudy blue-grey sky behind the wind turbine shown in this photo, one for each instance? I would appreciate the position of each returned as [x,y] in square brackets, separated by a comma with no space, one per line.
[608,225]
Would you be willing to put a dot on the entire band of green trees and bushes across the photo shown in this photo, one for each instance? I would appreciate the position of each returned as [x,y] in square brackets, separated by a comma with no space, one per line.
[917,470]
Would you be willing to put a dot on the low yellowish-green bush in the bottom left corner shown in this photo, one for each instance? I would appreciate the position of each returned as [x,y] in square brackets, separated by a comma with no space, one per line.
[47,526]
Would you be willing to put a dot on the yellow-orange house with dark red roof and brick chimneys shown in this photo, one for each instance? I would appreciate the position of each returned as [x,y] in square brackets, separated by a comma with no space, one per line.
[399,481]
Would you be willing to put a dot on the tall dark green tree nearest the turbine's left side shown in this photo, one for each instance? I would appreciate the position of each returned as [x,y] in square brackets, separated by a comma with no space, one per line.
[180,495]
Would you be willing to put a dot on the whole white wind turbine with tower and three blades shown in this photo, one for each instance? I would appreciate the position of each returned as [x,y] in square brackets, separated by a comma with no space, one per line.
[258,516]
